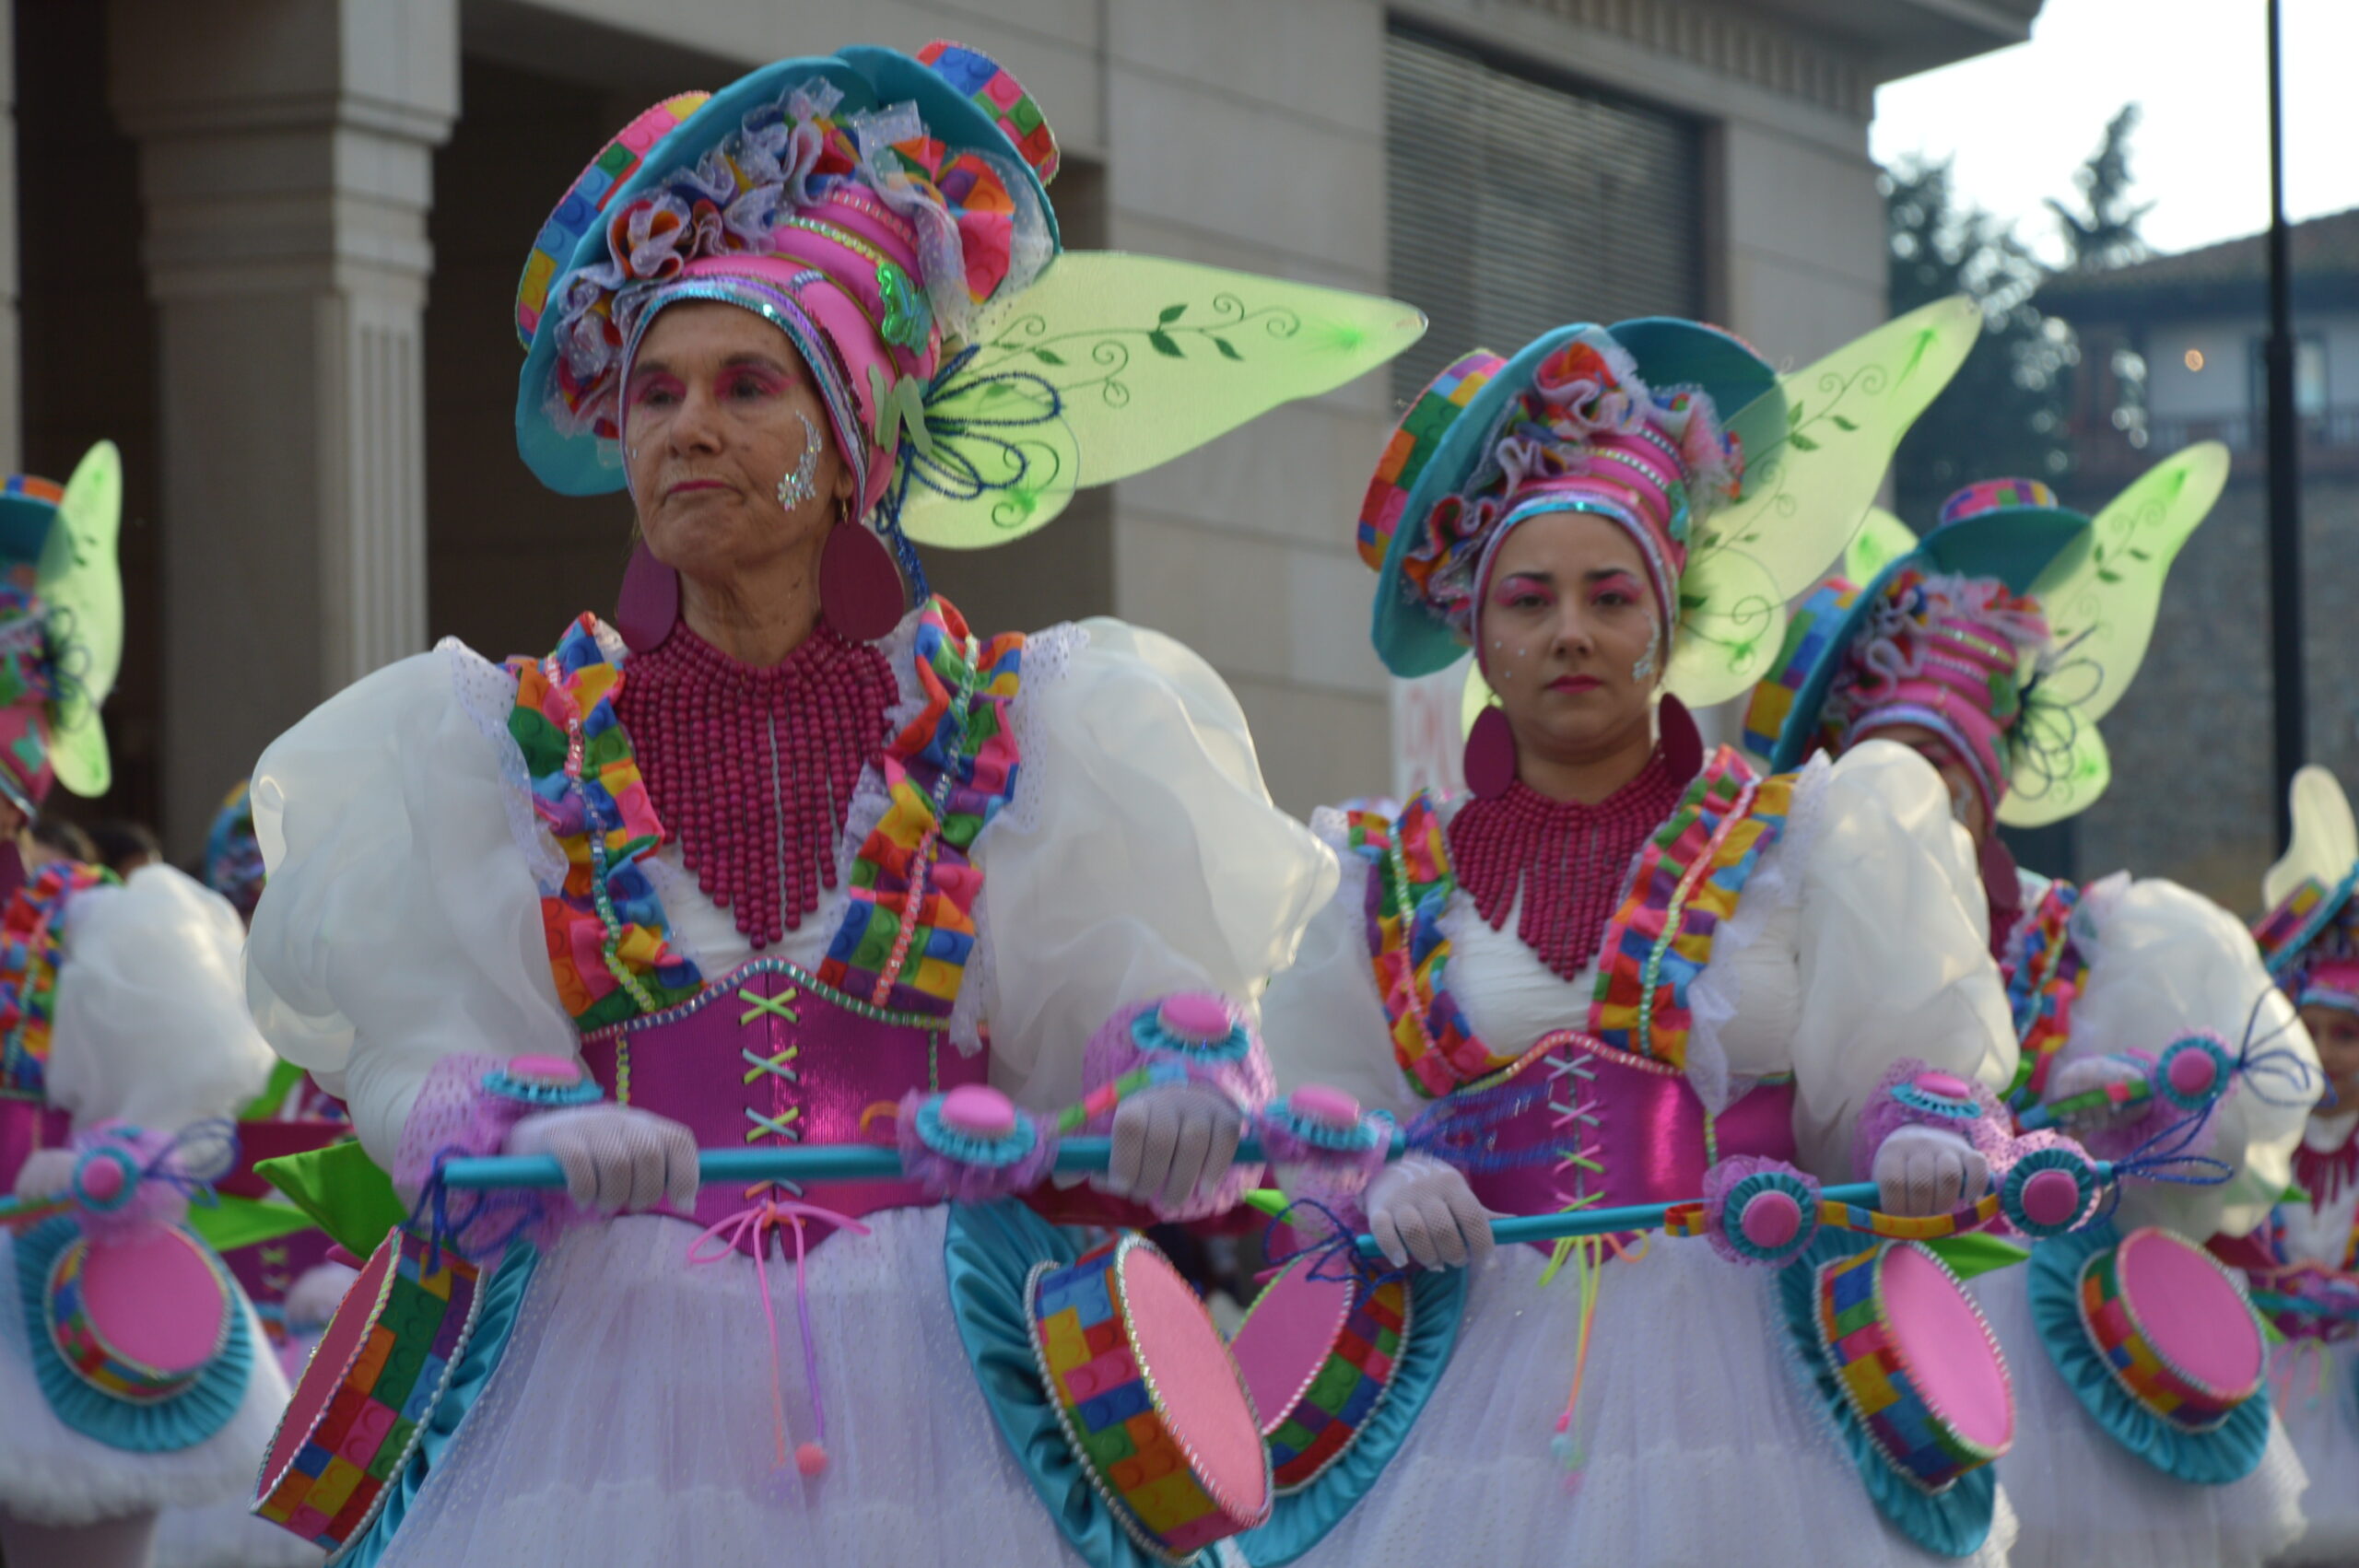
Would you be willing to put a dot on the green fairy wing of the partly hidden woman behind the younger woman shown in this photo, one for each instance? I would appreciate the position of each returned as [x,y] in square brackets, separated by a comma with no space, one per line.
[2101,614]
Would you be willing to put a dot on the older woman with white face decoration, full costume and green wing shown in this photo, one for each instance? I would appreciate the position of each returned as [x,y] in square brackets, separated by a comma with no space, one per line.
[775,857]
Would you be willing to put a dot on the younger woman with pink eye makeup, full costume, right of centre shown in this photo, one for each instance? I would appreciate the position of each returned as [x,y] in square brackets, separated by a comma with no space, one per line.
[1662,970]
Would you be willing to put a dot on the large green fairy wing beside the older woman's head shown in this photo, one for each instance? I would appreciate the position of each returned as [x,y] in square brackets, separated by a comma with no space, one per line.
[1115,364]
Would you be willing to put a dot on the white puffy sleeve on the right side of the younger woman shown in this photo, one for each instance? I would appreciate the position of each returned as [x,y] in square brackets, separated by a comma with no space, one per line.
[1891,947]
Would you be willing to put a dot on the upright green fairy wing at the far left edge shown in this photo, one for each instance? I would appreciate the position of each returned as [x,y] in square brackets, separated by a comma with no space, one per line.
[84,588]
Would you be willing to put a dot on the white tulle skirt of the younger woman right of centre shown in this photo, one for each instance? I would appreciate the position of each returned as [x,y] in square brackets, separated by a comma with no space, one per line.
[1702,1447]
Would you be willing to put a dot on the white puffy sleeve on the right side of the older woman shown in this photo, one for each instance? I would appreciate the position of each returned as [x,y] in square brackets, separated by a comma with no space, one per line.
[1138,857]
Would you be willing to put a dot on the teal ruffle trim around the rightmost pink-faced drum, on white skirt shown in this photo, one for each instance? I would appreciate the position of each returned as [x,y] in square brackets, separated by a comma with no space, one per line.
[2226,1454]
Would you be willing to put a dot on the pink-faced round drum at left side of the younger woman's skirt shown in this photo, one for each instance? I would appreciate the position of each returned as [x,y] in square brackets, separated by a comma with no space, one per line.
[1318,1357]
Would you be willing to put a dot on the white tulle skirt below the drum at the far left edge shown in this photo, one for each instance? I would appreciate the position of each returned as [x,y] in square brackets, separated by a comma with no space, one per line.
[55,1477]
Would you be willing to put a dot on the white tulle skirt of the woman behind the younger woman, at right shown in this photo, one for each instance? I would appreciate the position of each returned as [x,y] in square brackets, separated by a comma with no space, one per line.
[2084,1501]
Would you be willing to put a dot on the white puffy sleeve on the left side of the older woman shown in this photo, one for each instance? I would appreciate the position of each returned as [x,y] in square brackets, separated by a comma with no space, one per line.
[402,916]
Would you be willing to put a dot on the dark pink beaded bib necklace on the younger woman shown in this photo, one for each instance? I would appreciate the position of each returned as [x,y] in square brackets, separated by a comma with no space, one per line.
[1579,859]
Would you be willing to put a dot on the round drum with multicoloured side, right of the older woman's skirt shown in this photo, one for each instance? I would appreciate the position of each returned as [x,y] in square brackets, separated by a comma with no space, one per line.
[1150,1399]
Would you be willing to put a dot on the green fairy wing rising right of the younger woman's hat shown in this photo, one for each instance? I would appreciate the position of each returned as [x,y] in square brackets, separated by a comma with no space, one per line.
[1815,456]
